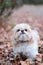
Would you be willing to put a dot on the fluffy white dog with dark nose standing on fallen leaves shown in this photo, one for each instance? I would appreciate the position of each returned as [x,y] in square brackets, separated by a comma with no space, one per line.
[25,40]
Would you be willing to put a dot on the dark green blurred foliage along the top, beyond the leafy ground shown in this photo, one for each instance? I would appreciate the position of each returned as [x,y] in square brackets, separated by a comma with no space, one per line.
[8,5]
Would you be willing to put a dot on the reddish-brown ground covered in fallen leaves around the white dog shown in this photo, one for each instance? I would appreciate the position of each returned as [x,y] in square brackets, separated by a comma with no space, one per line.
[6,51]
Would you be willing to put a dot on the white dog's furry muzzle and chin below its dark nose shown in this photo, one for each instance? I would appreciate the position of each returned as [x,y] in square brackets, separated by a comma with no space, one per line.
[23,38]
